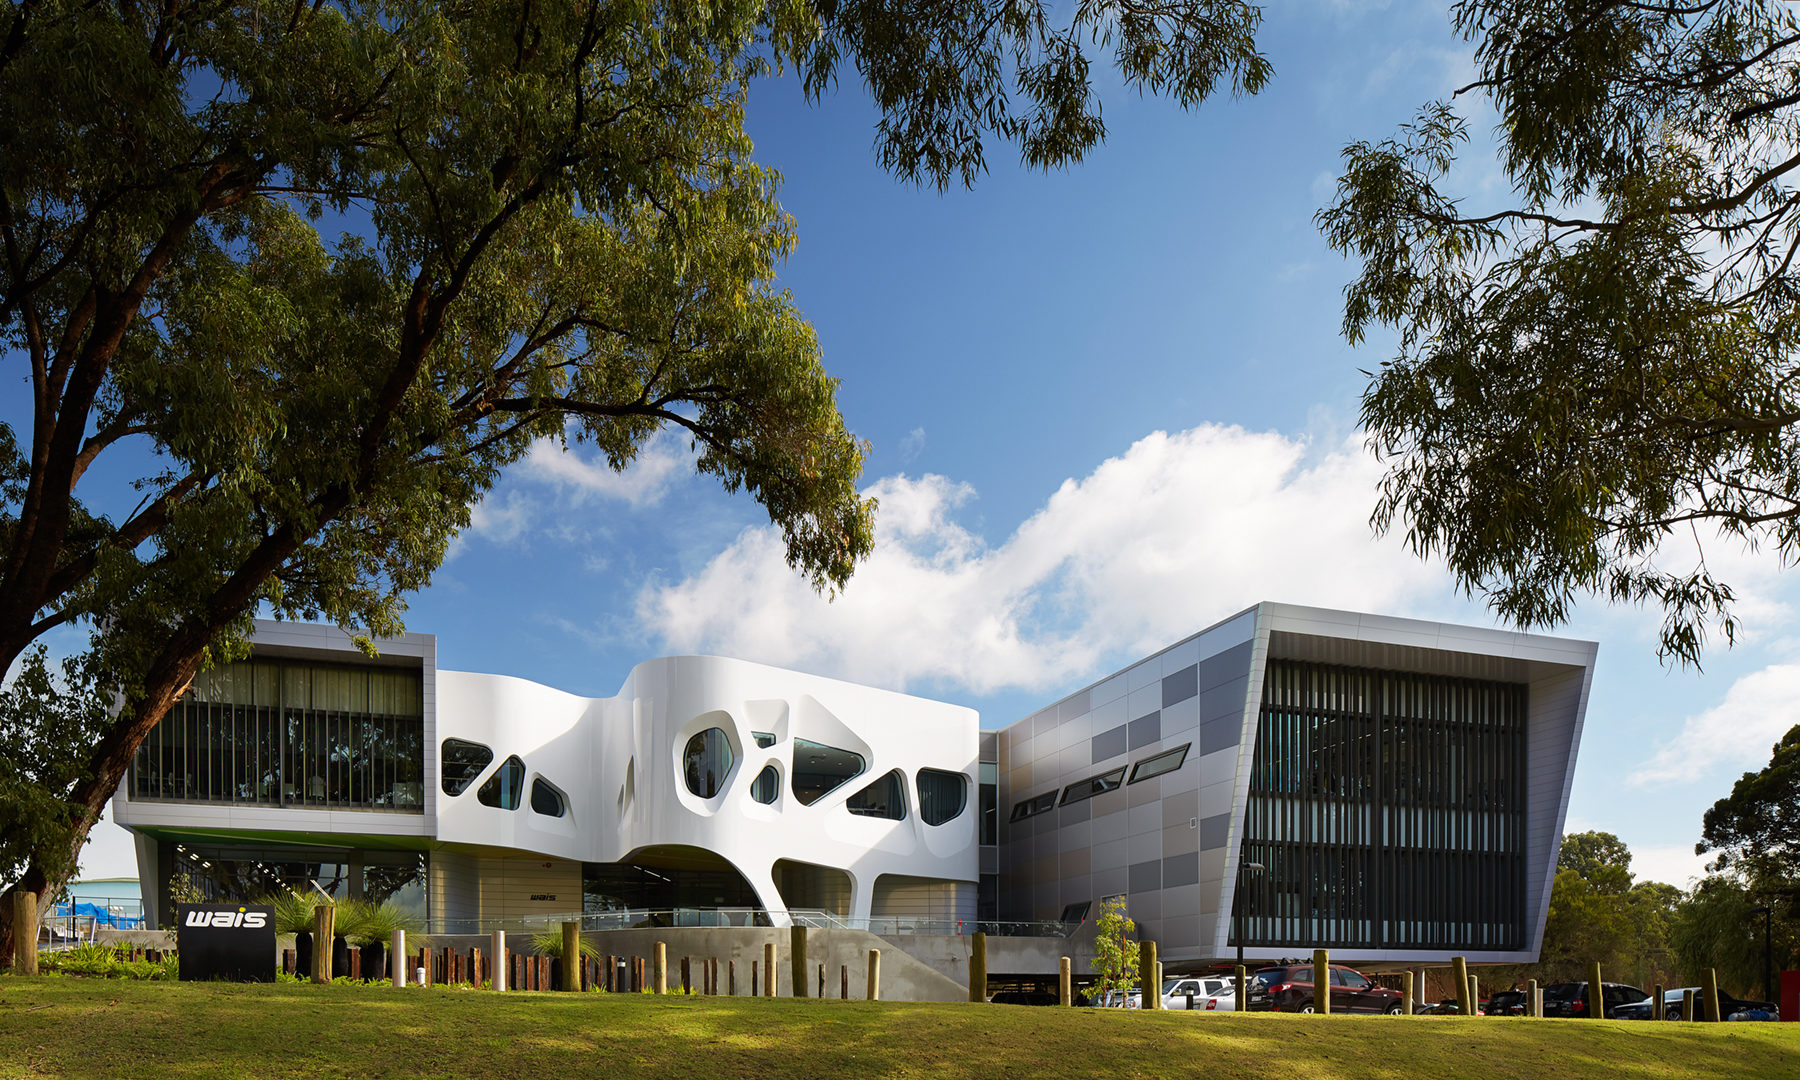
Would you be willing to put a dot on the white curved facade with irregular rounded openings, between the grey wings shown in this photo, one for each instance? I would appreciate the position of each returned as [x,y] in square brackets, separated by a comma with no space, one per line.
[620,762]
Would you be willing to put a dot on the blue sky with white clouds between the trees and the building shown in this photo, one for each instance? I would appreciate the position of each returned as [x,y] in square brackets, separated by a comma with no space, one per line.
[1106,408]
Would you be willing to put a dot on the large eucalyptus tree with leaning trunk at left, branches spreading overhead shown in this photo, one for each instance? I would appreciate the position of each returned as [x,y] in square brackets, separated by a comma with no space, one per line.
[557,229]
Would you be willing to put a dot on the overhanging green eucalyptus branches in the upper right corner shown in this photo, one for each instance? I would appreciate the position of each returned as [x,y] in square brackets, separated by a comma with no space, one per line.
[1599,375]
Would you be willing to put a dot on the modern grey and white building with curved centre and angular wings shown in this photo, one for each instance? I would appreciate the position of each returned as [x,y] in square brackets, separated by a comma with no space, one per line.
[1282,780]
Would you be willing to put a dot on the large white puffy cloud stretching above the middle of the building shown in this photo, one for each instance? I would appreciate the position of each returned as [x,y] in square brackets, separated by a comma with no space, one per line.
[1176,532]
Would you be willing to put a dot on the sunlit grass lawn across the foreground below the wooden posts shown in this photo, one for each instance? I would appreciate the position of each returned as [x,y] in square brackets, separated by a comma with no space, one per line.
[71,1027]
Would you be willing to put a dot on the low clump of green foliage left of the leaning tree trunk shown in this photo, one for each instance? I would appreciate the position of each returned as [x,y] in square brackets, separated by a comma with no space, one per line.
[46,719]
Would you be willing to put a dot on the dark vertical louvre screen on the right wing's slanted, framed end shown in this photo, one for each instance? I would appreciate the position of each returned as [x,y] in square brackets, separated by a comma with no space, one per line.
[1387,811]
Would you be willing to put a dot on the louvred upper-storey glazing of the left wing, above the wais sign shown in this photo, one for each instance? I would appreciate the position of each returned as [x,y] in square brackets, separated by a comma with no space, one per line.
[278,733]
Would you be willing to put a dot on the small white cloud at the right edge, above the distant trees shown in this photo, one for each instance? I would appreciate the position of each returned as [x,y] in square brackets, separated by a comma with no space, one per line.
[1736,733]
